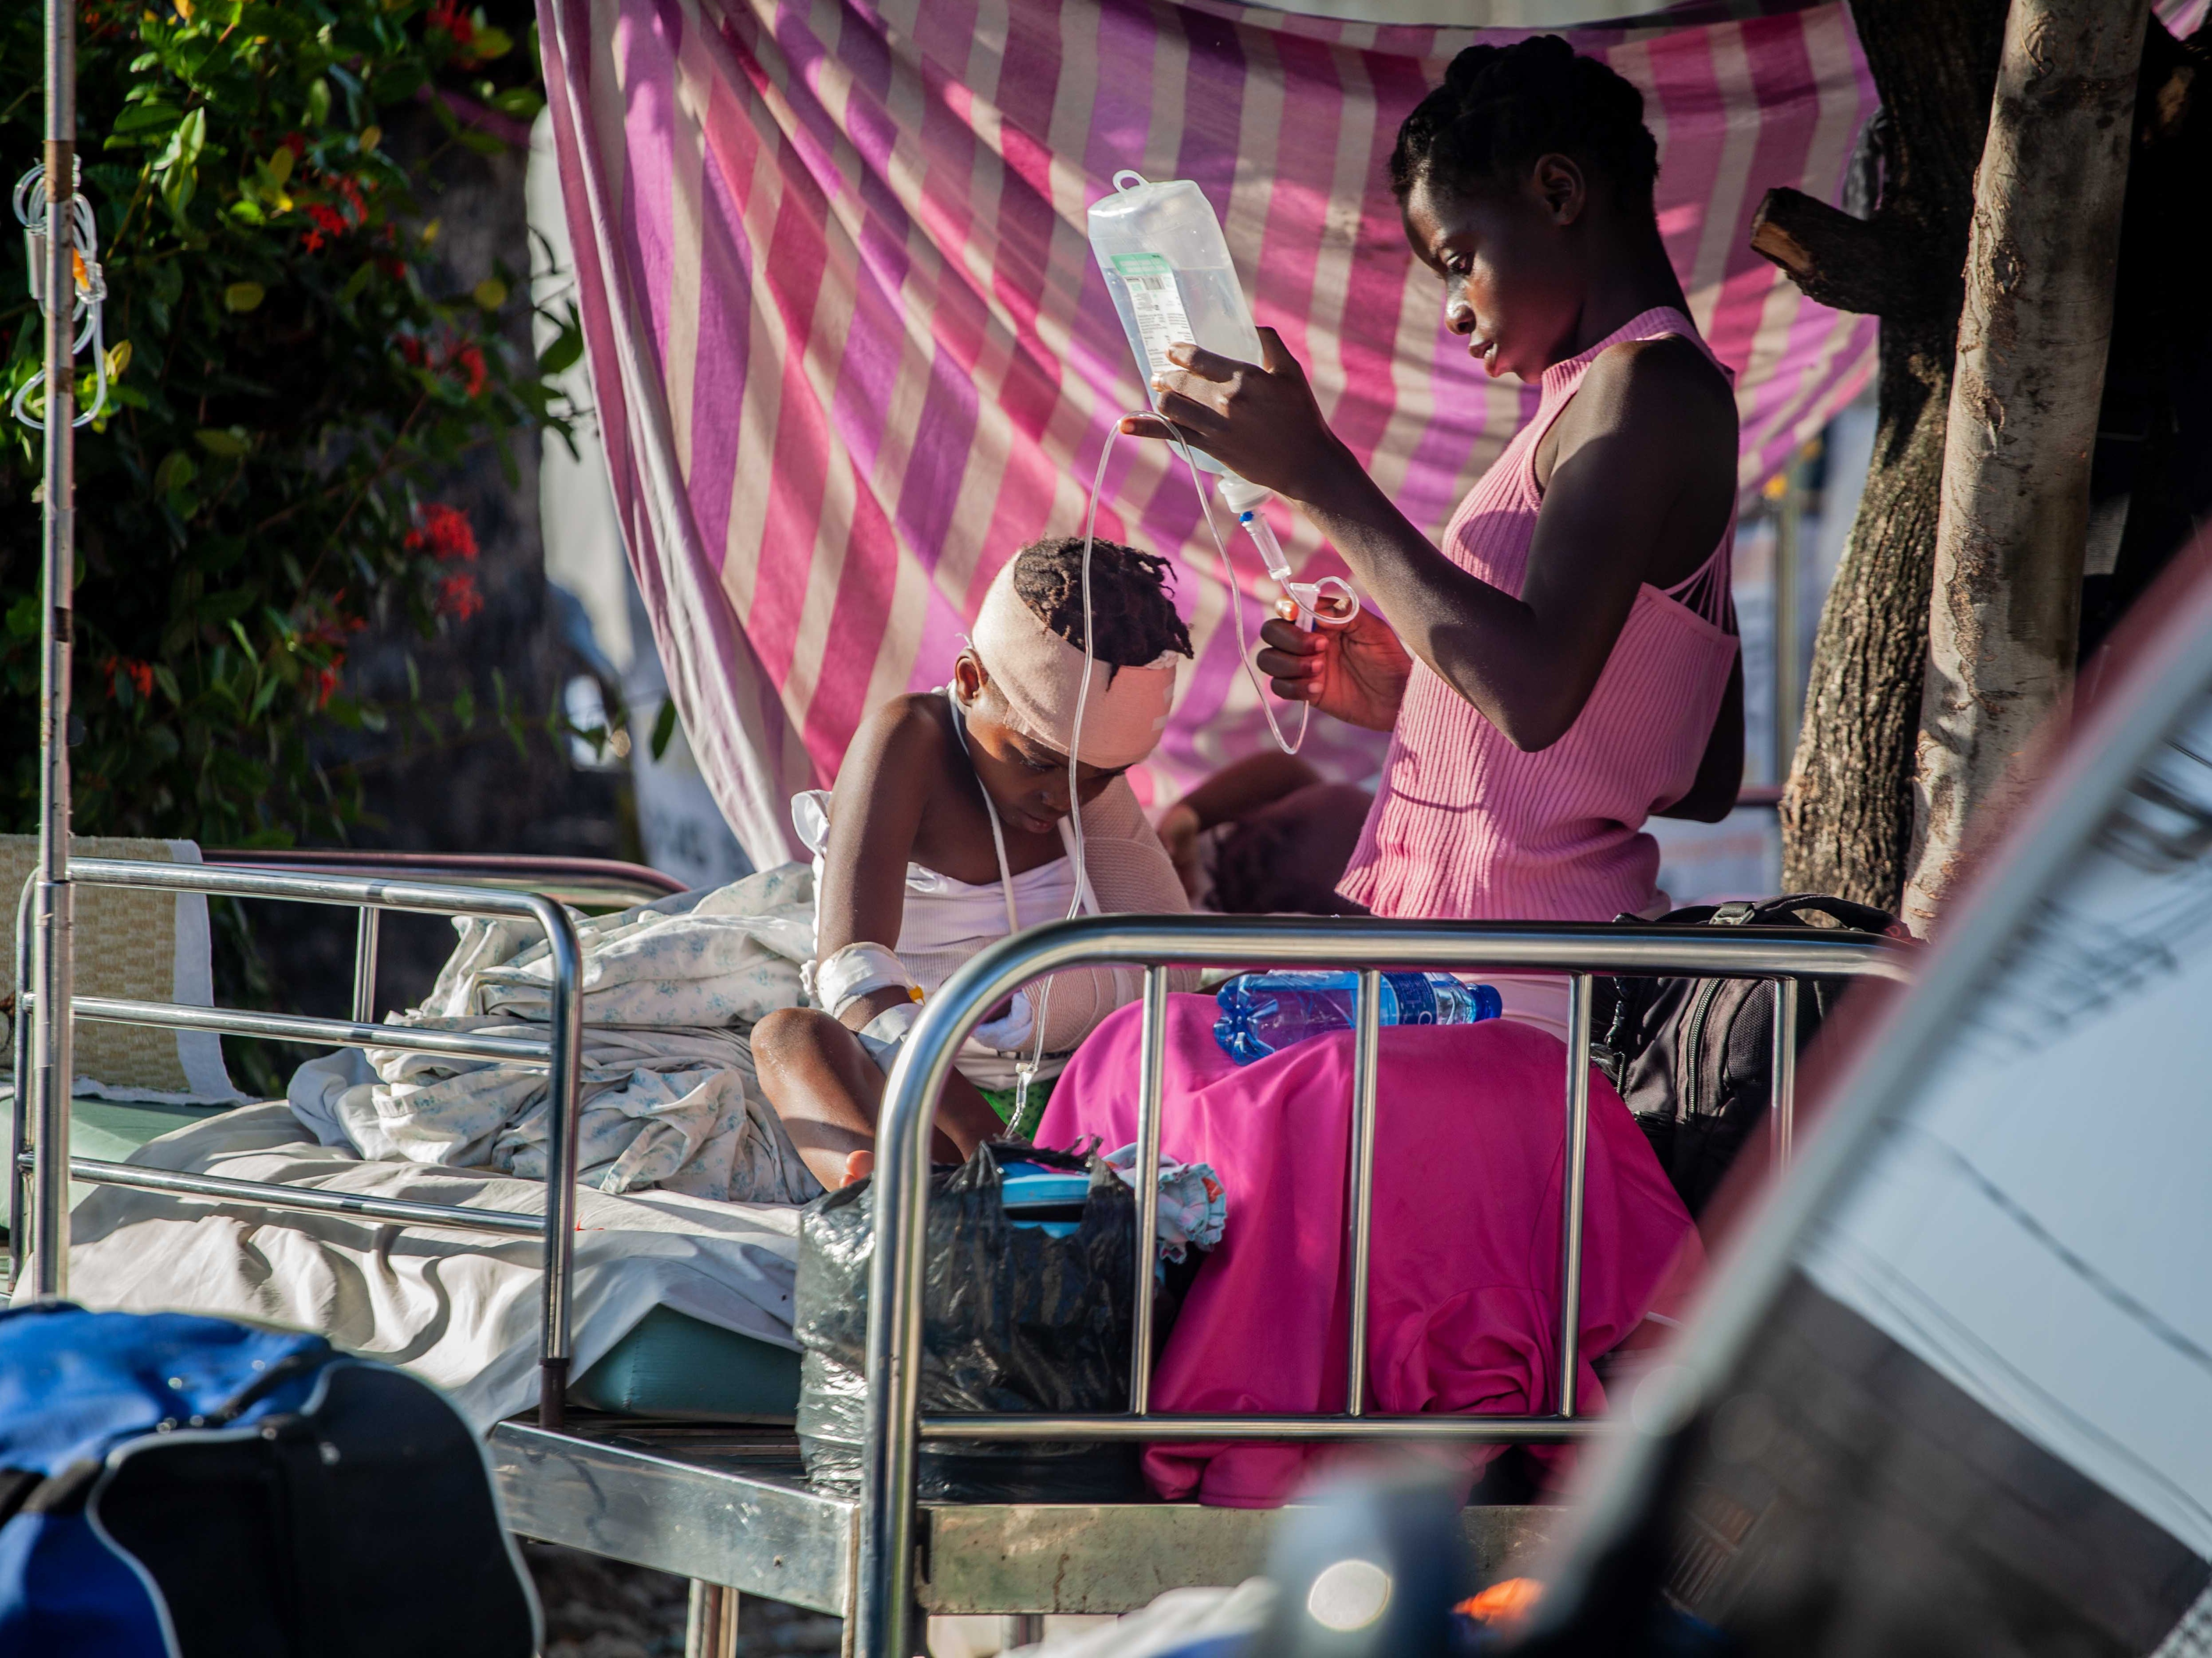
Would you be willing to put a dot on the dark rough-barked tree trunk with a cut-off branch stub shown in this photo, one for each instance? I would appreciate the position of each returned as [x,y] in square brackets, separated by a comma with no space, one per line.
[1848,806]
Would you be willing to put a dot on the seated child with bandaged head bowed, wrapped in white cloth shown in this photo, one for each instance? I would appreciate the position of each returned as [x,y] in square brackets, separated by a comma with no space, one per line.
[950,828]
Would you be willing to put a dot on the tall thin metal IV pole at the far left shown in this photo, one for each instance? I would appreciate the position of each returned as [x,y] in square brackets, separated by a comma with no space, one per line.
[52,1067]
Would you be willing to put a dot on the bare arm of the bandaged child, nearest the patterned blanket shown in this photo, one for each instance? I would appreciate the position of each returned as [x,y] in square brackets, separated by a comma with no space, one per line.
[875,815]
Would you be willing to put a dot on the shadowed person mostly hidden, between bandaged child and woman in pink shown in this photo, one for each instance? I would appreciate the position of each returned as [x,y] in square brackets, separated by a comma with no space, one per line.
[1266,837]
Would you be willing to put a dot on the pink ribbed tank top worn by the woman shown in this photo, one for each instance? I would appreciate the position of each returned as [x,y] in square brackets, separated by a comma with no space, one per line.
[1472,828]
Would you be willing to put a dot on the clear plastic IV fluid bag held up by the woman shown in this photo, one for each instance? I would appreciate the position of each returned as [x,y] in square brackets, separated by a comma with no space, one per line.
[1171,277]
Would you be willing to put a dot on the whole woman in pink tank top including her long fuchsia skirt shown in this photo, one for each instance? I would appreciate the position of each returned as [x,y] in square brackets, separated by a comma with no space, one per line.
[1558,671]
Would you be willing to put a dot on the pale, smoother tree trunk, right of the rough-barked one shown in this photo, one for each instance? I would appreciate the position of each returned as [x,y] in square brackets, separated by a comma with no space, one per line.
[2023,423]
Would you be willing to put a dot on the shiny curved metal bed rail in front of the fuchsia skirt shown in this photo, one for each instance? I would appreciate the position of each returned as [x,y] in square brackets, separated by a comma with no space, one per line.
[884,1591]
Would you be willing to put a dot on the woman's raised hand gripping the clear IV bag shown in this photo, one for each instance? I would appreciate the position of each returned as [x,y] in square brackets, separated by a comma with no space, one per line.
[1258,419]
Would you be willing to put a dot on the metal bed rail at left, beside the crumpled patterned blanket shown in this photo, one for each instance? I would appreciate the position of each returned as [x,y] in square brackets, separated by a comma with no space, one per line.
[52,1168]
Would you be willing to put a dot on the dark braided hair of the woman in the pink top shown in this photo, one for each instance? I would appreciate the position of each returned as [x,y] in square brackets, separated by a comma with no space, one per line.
[1503,107]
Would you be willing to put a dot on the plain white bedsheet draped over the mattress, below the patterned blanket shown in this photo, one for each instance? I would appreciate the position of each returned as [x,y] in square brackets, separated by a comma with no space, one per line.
[455,1308]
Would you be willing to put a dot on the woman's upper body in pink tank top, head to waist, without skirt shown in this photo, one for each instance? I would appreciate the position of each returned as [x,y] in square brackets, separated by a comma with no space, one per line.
[1565,664]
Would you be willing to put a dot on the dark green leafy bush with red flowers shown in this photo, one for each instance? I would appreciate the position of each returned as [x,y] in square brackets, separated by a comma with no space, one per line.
[247,512]
